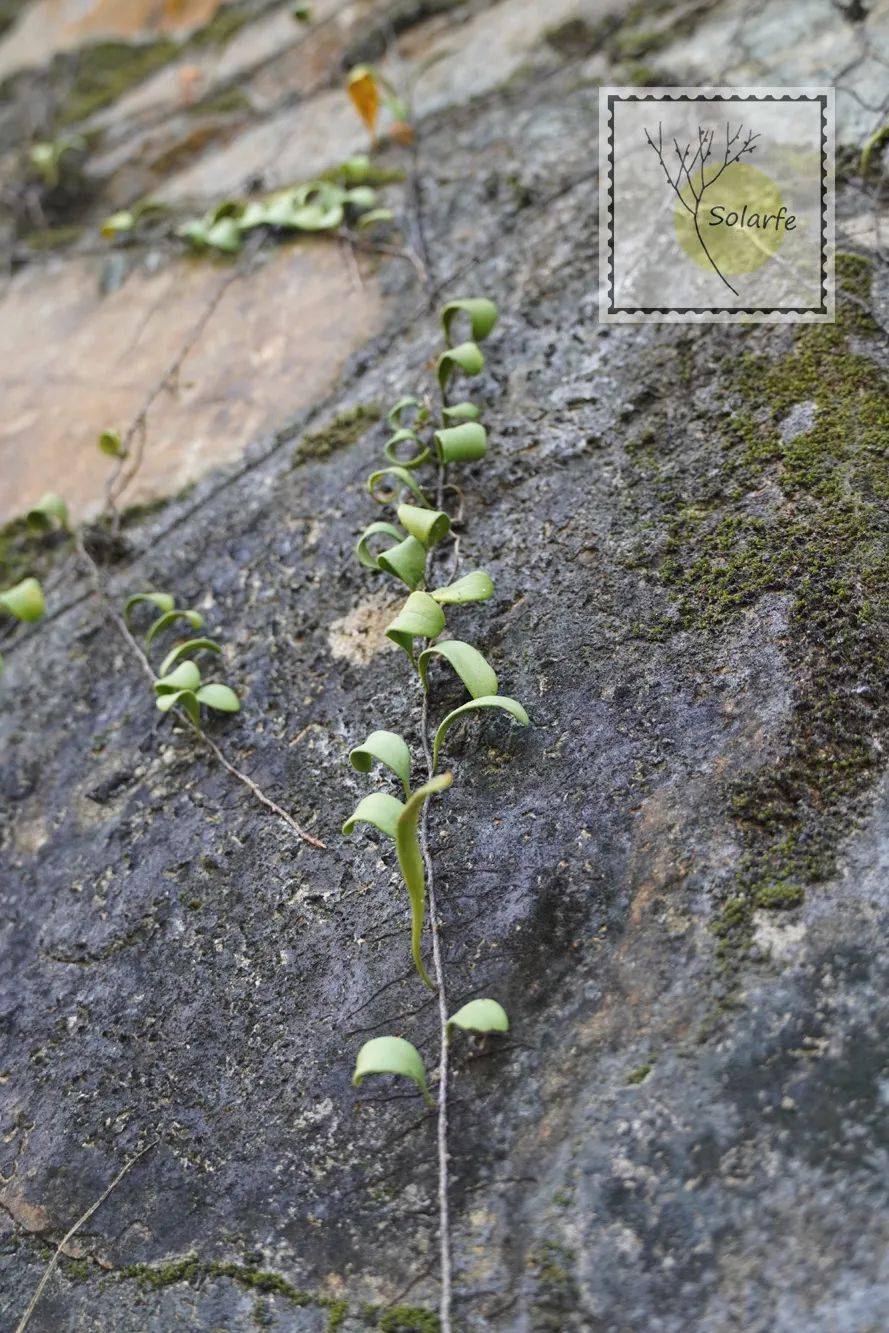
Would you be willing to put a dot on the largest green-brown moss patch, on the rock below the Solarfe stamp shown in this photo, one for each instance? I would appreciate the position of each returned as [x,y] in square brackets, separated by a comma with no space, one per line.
[800,513]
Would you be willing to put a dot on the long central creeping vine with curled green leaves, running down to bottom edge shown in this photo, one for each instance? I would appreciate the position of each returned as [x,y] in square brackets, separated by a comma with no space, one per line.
[407,551]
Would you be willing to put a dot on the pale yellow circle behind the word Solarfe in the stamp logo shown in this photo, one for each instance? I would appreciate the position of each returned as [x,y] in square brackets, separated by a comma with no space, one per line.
[736,223]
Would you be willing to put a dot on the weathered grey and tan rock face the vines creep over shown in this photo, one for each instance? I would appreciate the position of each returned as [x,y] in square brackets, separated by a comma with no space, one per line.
[675,879]
